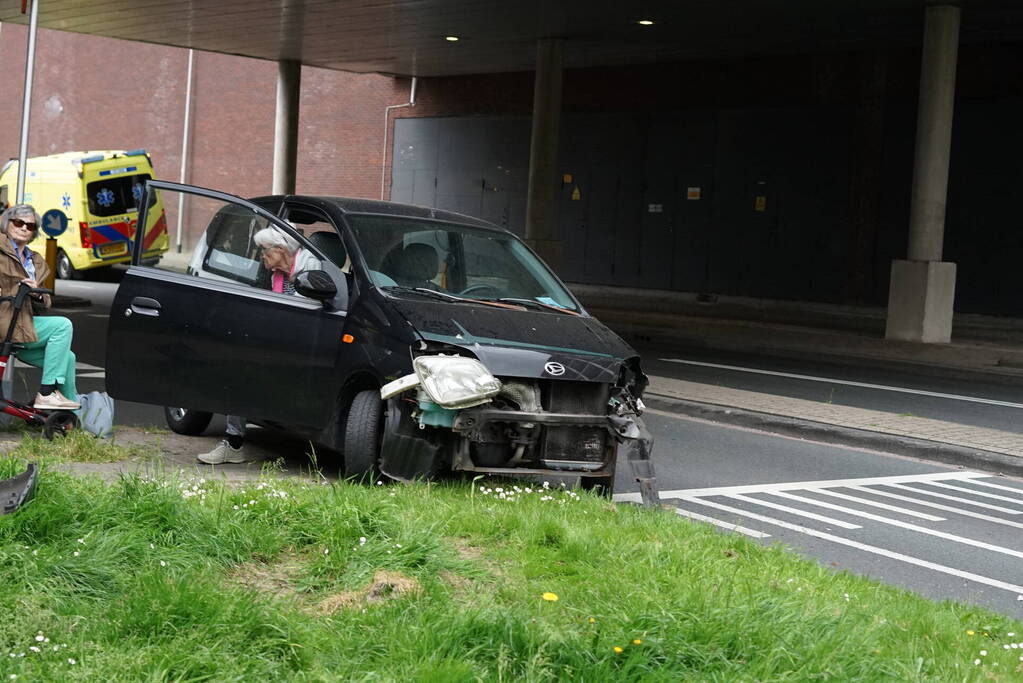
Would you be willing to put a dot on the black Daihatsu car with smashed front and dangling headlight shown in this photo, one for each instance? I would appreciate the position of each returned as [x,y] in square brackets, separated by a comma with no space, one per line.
[417,342]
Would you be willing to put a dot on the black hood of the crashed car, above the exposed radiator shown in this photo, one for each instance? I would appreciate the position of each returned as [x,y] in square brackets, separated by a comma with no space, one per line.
[523,344]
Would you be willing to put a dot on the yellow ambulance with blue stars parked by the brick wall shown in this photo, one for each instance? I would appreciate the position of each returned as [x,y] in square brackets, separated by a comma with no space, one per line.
[100,193]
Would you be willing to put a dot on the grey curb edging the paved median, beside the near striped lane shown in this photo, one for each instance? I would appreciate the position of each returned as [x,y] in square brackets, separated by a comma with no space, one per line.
[949,454]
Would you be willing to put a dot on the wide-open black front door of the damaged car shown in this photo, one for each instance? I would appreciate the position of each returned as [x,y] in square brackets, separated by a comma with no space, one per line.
[204,331]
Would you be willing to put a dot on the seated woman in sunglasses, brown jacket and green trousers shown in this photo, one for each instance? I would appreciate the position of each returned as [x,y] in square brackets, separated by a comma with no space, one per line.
[43,342]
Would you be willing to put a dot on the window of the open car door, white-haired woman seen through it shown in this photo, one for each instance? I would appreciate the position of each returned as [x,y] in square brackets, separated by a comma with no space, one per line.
[225,245]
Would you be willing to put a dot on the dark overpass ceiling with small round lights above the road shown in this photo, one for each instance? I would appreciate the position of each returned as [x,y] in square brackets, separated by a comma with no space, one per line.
[408,37]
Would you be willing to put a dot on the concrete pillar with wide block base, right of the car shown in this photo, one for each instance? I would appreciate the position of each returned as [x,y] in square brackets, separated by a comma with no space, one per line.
[923,288]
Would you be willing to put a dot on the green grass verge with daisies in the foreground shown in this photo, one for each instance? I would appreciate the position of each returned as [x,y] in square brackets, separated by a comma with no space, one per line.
[286,580]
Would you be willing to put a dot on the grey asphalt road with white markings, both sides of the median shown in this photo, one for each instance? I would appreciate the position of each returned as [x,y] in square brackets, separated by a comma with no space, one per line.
[914,531]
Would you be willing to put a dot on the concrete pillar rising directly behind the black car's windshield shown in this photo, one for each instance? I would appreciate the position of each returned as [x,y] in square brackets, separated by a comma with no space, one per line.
[545,176]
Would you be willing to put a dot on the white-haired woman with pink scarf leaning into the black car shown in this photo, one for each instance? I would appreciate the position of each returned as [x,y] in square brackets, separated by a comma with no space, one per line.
[285,258]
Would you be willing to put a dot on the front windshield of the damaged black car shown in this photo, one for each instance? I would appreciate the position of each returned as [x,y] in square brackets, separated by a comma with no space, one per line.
[467,262]
